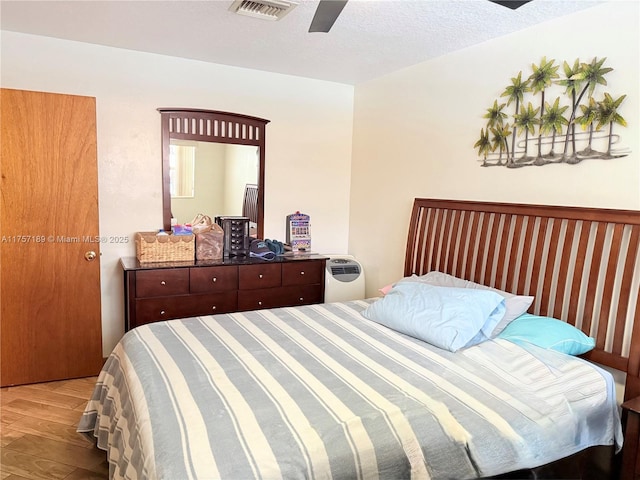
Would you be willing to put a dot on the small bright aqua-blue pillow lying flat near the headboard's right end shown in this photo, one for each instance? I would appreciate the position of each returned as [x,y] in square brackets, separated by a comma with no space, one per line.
[548,333]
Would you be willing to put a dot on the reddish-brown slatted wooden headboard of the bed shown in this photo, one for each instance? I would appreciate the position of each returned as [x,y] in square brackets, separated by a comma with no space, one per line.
[582,265]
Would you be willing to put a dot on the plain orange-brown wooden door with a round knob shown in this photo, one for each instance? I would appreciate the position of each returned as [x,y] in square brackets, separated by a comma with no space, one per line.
[50,325]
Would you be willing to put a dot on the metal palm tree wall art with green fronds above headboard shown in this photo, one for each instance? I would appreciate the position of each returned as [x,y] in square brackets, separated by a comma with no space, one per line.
[543,132]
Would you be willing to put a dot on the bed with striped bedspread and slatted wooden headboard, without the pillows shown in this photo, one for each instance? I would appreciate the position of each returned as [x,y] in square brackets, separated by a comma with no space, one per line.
[322,392]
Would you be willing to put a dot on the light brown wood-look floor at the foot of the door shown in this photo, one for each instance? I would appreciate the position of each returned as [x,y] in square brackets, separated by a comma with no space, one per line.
[38,438]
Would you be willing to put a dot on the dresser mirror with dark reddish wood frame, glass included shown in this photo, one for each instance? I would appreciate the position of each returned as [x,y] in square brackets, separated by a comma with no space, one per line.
[212,163]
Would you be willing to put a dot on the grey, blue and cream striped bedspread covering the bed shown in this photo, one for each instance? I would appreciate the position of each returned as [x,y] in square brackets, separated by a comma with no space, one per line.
[321,392]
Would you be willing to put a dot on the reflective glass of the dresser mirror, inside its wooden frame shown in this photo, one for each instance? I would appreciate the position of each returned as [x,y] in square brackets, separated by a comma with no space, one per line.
[222,172]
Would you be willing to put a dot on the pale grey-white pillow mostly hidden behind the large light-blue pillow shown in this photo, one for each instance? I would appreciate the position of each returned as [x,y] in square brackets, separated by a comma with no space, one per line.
[515,305]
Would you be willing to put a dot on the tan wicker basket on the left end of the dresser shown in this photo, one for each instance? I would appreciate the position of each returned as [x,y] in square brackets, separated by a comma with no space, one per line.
[164,248]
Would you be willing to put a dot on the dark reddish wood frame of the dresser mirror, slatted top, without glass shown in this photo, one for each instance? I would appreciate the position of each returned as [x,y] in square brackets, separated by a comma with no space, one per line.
[211,126]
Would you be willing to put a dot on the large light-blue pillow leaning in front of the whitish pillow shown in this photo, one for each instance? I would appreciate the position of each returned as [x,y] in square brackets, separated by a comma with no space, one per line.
[449,318]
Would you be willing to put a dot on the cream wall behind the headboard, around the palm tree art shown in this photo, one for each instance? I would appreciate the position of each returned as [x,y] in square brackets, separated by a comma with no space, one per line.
[415,130]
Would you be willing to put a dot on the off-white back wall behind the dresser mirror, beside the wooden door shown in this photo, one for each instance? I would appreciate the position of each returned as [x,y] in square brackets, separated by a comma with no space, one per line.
[129,86]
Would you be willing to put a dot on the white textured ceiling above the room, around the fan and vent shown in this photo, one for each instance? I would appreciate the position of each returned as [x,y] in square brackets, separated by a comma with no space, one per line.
[369,39]
